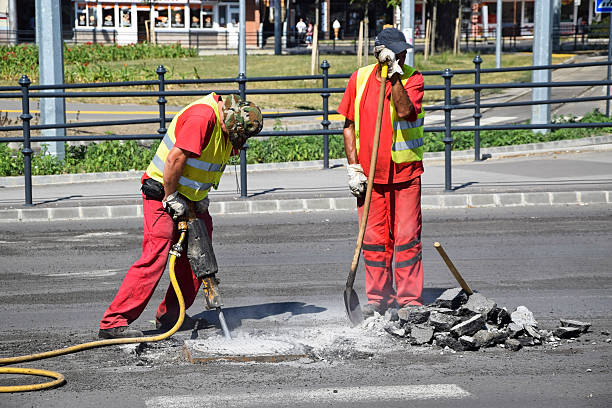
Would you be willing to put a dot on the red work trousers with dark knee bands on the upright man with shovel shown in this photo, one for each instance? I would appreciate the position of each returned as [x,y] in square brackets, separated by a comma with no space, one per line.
[393,234]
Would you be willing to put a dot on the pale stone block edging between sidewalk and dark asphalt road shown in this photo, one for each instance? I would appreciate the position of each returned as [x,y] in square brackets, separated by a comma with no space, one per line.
[429,202]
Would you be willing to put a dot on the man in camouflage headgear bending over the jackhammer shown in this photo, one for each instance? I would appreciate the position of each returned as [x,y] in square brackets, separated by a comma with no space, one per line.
[188,162]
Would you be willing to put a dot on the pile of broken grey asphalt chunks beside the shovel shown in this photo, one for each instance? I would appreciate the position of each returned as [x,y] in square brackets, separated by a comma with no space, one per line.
[460,322]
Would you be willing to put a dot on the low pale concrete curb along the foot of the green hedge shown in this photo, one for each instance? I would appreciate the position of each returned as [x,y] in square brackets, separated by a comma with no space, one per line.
[586,144]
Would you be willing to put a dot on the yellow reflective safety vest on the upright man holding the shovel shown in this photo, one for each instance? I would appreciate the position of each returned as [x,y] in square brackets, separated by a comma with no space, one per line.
[407,136]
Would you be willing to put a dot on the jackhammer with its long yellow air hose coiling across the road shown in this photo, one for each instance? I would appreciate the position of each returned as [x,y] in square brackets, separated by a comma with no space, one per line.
[204,265]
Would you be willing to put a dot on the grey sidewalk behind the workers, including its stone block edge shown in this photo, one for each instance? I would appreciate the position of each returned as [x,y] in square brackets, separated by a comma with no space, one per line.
[574,172]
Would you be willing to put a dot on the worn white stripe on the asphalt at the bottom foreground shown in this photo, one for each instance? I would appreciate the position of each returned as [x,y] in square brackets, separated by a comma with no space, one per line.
[319,396]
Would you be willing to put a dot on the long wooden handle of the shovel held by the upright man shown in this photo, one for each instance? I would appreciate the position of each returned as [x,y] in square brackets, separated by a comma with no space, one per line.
[366,205]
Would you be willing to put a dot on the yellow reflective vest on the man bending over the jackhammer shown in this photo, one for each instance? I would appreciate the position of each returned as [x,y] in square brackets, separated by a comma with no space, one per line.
[200,173]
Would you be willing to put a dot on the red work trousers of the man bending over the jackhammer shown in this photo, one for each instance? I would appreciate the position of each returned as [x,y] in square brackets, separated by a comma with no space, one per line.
[160,233]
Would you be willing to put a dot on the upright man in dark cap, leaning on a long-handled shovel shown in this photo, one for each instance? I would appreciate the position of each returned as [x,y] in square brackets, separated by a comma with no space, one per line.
[393,231]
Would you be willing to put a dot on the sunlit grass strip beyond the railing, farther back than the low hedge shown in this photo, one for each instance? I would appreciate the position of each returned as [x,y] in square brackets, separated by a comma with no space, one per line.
[97,63]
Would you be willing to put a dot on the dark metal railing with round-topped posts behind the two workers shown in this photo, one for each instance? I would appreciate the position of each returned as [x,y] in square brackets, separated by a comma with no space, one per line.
[25,91]
